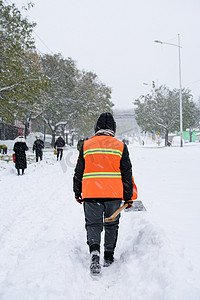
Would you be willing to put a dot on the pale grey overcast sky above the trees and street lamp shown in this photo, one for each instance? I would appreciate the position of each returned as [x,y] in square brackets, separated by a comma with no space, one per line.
[115,40]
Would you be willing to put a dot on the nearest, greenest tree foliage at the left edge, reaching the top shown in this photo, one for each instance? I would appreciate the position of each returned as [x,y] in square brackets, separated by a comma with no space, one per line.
[20,70]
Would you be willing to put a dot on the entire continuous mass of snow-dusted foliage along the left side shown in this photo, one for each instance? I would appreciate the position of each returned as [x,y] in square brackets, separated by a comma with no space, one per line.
[48,86]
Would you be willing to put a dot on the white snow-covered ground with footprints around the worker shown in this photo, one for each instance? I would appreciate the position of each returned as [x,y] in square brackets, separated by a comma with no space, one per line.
[43,252]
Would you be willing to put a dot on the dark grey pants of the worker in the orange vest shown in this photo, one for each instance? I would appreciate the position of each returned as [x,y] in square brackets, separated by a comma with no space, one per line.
[95,212]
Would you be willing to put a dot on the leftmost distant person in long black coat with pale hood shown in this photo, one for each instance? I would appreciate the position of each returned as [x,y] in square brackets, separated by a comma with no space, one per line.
[20,148]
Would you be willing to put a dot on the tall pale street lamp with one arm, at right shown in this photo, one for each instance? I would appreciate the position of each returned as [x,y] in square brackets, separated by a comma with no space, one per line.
[180,89]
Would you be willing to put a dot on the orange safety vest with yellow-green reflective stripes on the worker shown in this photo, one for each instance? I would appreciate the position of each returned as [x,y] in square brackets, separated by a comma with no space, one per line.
[102,175]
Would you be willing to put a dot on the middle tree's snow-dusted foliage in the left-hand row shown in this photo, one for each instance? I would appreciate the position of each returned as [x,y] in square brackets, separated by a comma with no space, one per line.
[58,94]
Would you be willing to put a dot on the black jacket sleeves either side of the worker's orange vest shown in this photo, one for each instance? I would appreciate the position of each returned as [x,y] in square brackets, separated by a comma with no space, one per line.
[126,172]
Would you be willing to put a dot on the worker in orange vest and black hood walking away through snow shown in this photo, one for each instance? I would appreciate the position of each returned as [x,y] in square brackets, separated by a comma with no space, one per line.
[102,178]
